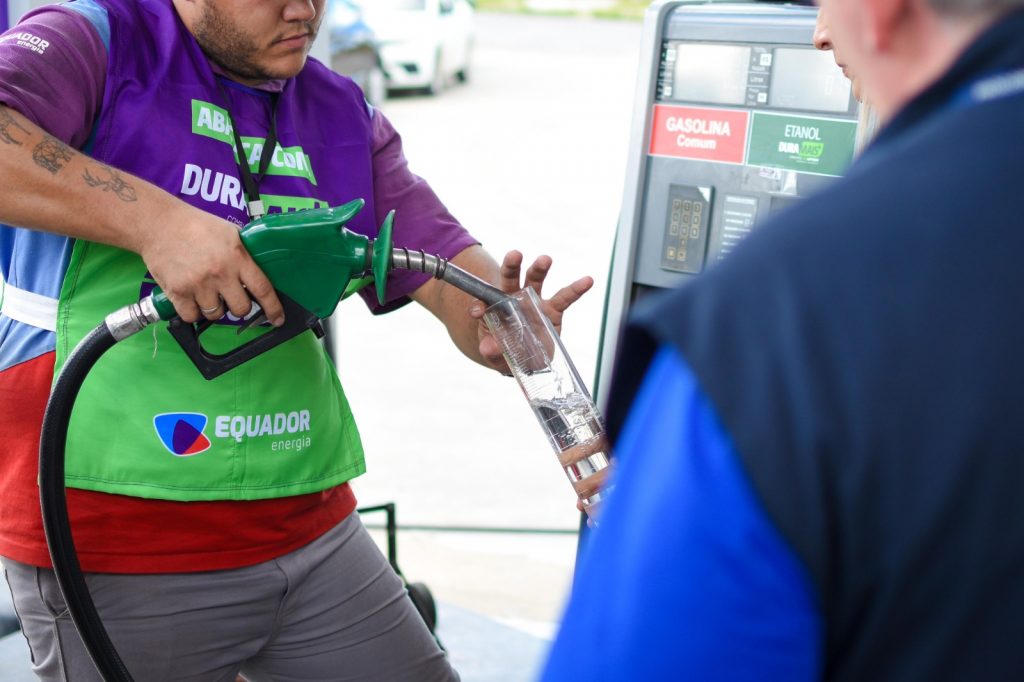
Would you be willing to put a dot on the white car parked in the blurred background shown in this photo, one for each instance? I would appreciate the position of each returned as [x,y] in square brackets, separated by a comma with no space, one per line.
[424,45]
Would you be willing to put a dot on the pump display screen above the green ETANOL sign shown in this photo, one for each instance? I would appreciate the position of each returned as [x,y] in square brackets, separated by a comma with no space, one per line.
[808,79]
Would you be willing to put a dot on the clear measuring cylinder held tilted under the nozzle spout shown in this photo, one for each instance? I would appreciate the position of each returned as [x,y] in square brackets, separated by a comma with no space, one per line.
[554,390]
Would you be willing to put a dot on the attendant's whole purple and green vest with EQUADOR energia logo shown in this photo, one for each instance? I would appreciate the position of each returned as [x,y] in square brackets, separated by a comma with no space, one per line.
[281,424]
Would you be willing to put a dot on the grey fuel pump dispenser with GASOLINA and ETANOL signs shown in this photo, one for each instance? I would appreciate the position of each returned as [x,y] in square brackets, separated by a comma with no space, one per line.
[737,117]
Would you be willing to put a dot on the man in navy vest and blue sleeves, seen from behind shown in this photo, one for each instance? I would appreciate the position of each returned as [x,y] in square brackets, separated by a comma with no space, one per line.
[822,463]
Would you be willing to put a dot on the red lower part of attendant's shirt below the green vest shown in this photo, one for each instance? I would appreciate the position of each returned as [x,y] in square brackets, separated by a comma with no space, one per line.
[123,535]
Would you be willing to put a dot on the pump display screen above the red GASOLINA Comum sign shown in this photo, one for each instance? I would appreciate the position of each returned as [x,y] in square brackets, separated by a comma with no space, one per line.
[712,74]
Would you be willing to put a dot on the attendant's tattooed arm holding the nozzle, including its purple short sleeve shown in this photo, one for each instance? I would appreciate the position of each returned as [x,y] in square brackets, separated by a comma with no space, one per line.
[48,186]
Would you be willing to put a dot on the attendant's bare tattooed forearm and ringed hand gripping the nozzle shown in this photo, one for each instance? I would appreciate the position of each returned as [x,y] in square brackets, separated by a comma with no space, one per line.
[197,259]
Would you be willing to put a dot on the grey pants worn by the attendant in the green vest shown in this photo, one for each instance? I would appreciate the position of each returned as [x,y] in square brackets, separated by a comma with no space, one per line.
[332,611]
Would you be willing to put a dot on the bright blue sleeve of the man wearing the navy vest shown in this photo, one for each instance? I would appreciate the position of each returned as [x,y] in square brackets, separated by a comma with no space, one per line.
[687,578]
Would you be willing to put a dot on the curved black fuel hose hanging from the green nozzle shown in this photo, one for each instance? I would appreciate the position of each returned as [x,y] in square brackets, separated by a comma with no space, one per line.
[55,504]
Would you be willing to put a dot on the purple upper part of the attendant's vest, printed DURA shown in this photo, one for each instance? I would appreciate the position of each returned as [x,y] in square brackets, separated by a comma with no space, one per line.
[163,119]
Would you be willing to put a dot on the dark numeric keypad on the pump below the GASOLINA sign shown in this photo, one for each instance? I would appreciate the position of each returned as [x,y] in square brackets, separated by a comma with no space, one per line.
[687,236]
